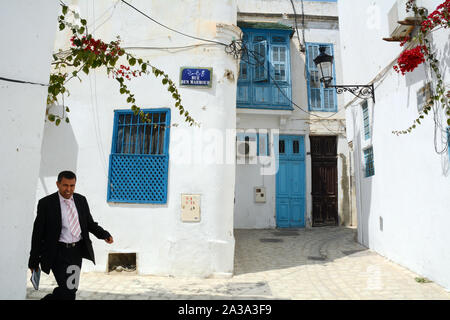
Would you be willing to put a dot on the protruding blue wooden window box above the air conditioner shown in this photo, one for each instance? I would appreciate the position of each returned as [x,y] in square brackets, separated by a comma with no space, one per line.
[264,78]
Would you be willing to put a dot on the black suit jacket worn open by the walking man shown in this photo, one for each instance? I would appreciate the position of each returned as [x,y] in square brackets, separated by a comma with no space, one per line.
[47,230]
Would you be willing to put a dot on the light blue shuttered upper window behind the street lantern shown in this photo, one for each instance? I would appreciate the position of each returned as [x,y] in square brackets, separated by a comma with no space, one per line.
[319,98]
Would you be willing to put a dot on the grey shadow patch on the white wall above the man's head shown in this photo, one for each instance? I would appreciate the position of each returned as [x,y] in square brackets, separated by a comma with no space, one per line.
[59,152]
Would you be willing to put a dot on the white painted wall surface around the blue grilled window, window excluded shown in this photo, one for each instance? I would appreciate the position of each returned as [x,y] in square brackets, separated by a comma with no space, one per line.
[163,243]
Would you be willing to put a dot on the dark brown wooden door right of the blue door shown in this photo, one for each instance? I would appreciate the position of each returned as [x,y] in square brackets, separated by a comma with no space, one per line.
[324,180]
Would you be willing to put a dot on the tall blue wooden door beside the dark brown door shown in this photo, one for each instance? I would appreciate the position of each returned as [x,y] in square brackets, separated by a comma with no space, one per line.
[291,182]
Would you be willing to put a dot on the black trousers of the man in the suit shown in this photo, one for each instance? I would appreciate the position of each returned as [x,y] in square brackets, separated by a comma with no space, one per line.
[66,269]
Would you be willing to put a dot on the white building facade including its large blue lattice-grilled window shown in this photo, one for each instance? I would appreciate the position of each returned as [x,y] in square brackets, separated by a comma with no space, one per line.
[141,185]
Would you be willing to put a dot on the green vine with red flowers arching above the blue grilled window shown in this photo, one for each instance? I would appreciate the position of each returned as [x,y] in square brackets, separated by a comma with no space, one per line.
[87,53]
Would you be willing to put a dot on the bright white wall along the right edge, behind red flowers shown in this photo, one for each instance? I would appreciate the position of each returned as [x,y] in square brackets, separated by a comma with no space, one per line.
[411,186]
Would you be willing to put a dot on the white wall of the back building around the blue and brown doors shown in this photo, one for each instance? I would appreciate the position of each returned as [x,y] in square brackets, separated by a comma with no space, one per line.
[249,214]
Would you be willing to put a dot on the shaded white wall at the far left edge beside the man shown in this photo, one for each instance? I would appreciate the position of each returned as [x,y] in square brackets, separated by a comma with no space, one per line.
[27,30]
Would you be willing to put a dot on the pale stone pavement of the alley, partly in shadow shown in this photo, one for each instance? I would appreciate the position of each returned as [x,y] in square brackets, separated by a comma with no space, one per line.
[322,263]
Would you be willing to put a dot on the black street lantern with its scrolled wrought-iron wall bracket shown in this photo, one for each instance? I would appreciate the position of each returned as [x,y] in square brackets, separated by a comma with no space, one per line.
[324,63]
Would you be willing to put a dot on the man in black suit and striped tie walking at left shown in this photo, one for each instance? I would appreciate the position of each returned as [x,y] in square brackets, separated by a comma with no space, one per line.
[61,236]
